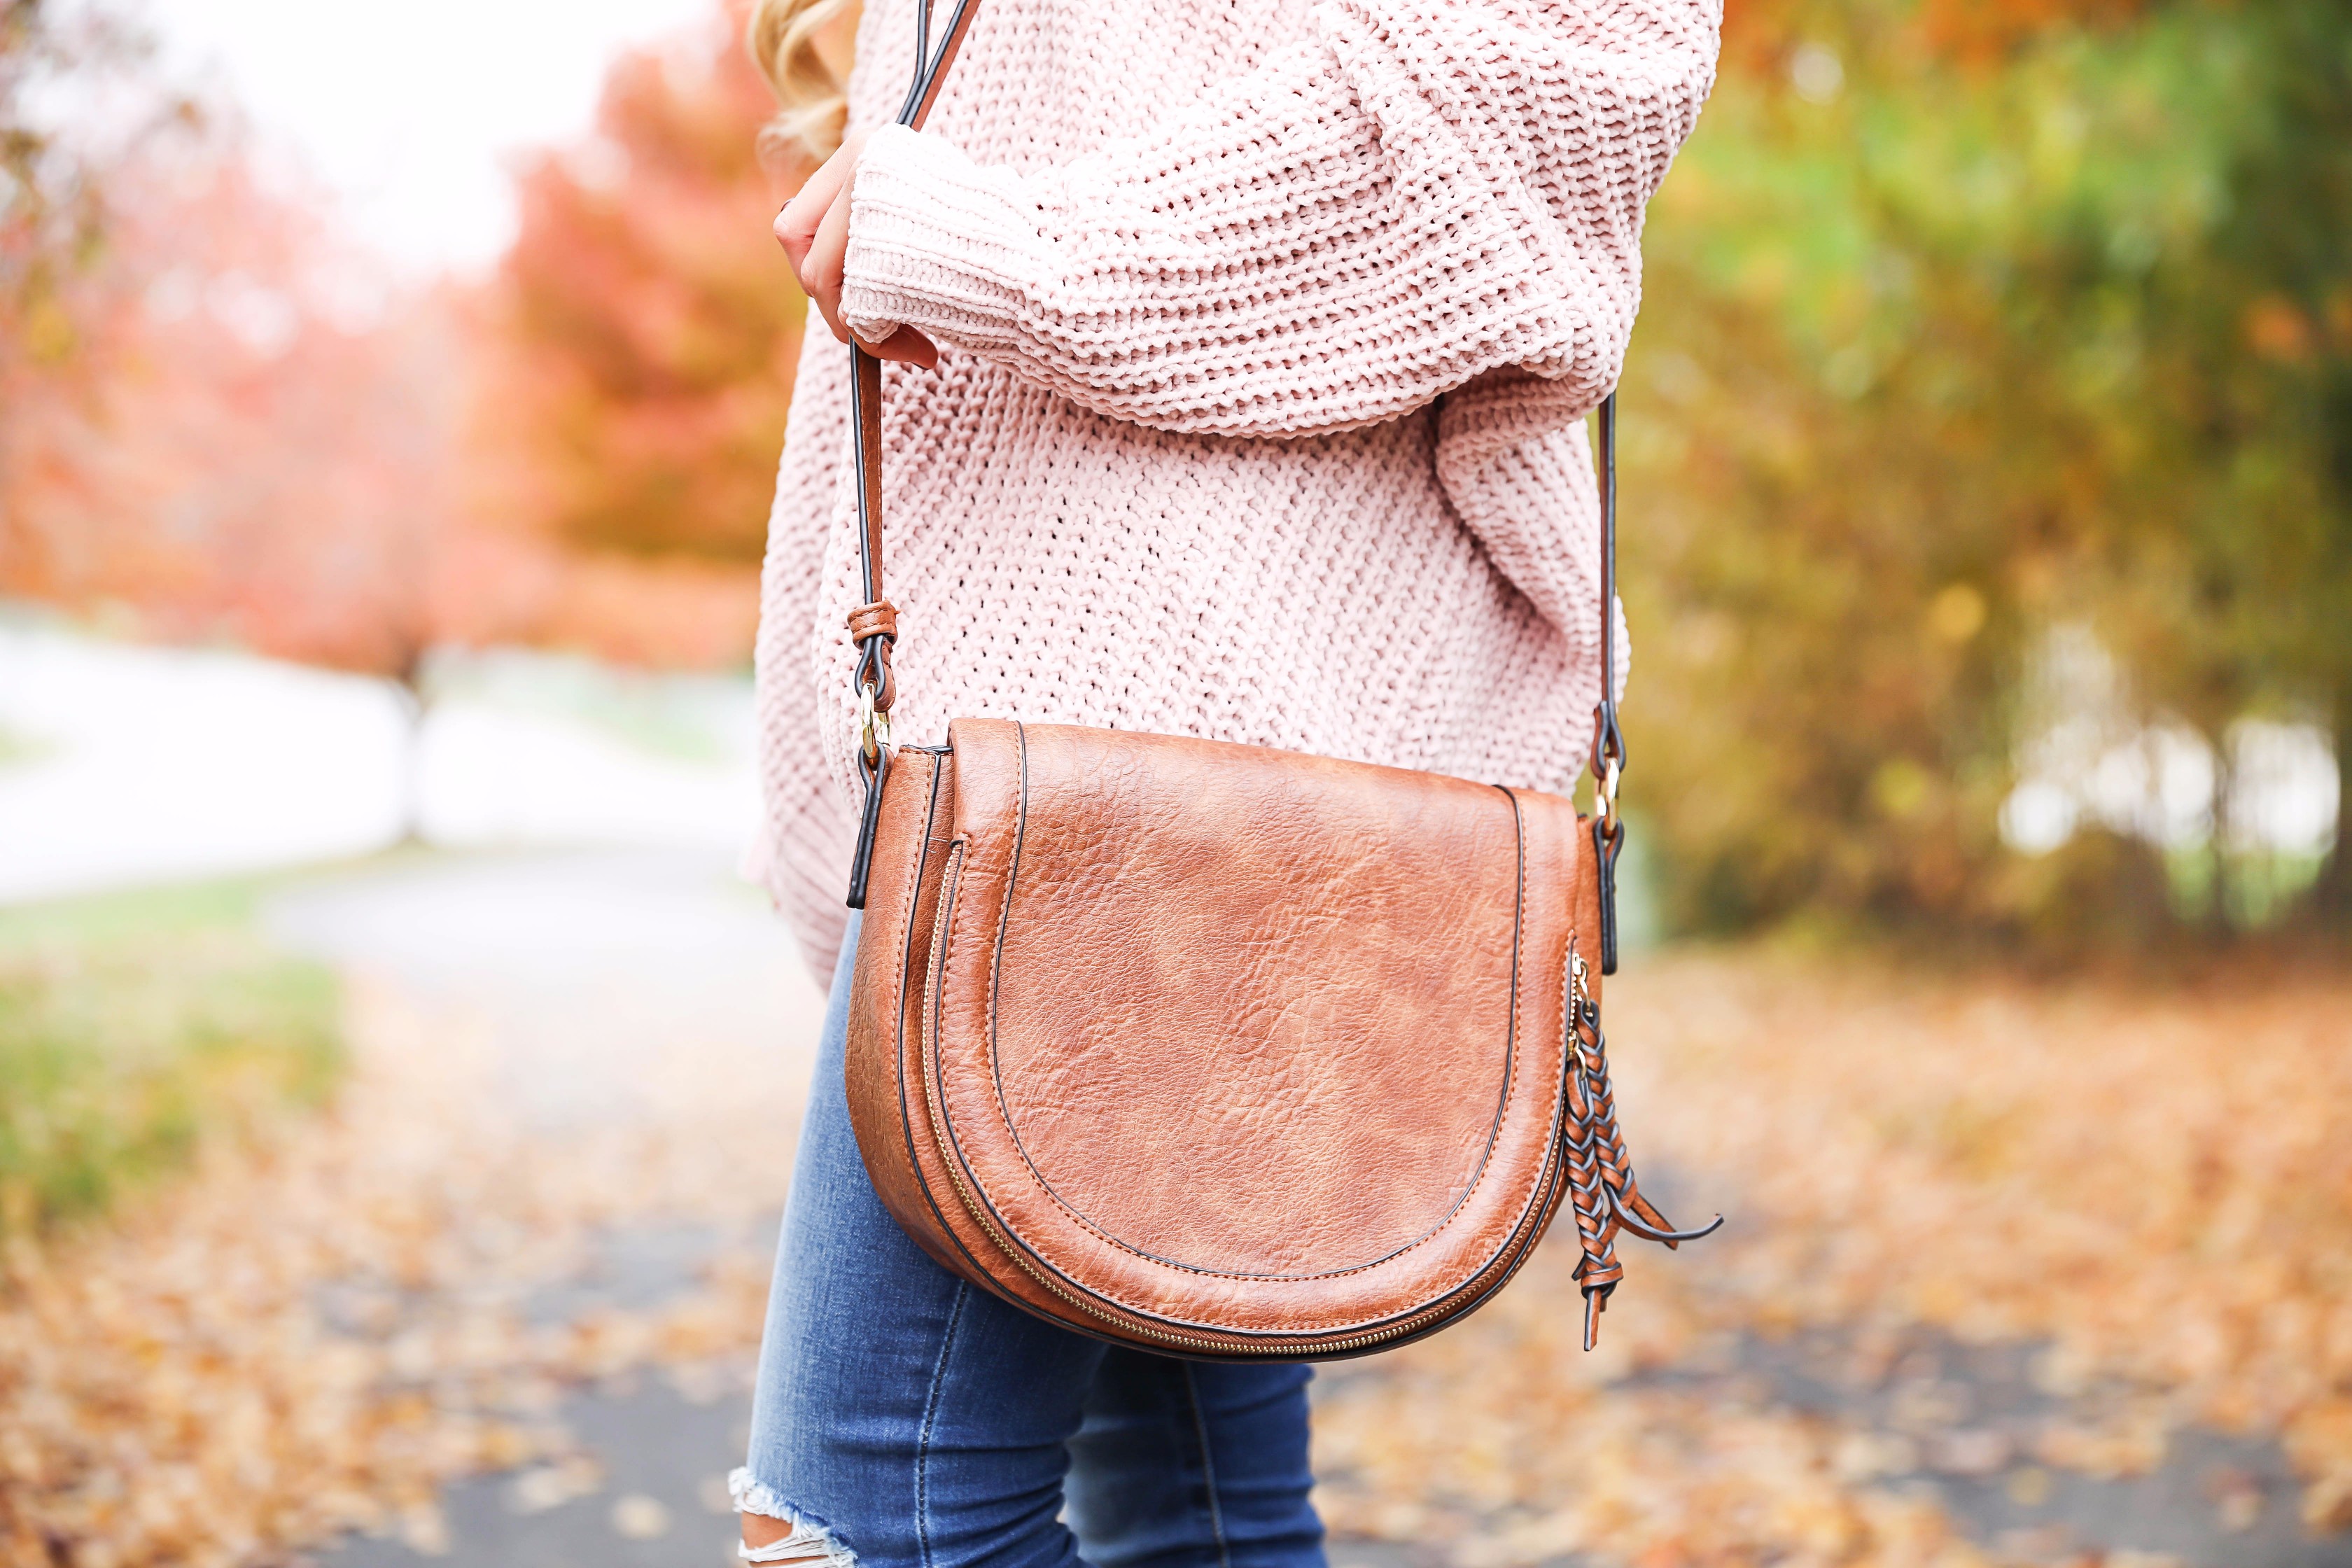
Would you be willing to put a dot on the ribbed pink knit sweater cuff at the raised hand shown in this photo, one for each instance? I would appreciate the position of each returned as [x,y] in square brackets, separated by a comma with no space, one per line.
[937,243]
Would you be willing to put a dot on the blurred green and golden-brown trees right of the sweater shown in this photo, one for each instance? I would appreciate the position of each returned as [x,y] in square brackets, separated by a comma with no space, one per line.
[1967,328]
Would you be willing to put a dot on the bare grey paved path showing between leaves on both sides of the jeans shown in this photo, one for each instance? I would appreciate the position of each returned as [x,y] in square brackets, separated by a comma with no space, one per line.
[601,977]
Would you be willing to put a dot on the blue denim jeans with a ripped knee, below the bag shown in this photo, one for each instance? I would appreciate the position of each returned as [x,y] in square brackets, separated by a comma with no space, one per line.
[909,1419]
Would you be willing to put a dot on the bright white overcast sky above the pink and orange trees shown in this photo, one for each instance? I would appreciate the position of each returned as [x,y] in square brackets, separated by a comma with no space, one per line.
[410,112]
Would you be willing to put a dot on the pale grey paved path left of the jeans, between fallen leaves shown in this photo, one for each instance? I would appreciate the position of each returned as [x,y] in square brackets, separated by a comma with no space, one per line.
[599,979]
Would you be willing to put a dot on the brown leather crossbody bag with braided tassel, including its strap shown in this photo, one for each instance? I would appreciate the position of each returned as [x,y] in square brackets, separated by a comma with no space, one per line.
[1217,1050]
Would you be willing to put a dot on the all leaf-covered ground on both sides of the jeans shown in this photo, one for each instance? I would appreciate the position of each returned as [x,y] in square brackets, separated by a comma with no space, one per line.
[2139,1193]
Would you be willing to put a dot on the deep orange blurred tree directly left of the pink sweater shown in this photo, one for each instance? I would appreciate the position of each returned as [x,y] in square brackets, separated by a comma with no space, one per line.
[646,326]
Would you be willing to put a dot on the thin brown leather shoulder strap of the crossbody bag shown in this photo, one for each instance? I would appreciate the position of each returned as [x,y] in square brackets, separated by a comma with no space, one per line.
[874,624]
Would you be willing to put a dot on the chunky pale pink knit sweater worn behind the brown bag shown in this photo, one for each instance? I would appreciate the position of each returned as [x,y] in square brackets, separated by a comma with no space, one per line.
[1267,337]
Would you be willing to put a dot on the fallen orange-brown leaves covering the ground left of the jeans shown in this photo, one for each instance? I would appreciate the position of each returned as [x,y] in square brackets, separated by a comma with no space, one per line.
[314,1339]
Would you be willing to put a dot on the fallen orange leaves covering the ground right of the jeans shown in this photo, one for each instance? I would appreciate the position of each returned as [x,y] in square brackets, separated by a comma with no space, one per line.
[2141,1188]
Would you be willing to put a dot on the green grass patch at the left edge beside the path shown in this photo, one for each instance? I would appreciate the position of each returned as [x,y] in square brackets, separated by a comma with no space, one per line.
[133,1031]
